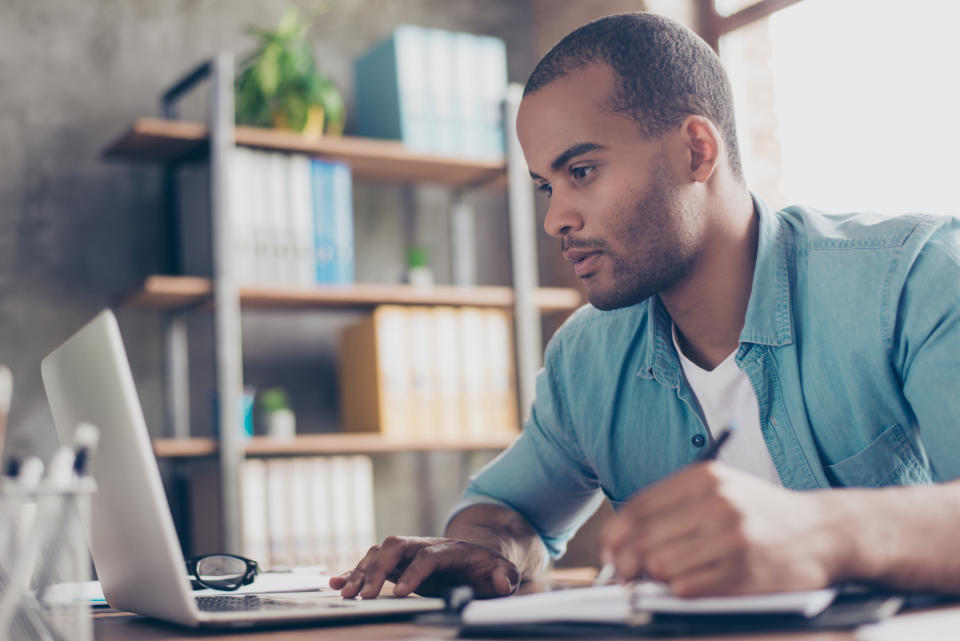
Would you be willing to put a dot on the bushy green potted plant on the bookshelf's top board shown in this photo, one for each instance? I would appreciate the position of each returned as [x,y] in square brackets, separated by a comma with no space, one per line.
[279,85]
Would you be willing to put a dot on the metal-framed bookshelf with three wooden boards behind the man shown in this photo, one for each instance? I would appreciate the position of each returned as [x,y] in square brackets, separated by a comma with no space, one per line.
[170,142]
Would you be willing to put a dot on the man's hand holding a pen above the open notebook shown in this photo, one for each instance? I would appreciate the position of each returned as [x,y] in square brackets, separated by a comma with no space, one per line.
[710,529]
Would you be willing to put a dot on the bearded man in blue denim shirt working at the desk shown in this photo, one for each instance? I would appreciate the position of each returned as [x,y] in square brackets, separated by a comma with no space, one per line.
[831,342]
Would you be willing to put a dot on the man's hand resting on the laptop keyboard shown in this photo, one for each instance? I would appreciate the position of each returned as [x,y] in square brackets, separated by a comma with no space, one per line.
[429,566]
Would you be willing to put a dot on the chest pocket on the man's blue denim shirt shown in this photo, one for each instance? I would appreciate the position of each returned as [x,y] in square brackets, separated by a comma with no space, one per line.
[889,459]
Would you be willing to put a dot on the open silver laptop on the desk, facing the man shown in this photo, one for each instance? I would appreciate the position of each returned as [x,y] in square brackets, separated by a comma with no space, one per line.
[133,540]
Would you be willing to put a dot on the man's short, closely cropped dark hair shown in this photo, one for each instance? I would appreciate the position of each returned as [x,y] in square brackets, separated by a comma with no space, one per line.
[664,73]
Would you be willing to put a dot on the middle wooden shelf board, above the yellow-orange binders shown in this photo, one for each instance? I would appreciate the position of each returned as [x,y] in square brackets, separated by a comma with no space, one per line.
[166,292]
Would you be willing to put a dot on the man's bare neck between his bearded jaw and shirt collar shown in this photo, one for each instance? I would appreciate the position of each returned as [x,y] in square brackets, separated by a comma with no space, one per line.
[710,305]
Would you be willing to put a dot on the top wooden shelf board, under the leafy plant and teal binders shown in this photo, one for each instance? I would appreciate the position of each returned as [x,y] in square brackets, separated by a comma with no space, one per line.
[160,140]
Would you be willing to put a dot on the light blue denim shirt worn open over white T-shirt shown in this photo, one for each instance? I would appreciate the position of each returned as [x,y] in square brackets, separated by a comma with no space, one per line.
[851,342]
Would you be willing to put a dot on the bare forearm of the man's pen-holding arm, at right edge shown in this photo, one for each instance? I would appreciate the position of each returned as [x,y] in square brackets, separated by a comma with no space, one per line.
[903,537]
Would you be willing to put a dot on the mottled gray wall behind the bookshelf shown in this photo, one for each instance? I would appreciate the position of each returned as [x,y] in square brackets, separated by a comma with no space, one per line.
[76,231]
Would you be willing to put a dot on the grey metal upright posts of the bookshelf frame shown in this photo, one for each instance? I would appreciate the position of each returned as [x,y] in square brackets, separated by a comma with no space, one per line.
[219,72]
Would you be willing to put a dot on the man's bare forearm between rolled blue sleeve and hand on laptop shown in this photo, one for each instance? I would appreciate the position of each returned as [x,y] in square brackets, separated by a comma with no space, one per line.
[502,530]
